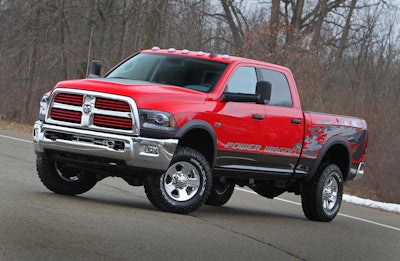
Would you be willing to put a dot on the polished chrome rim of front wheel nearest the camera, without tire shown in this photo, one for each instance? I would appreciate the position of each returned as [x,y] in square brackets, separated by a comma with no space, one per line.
[181,181]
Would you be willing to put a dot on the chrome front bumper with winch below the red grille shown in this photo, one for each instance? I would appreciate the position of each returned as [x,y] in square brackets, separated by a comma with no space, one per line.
[138,152]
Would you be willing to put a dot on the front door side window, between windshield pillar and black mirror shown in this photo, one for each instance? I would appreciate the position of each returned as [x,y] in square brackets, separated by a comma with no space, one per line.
[244,80]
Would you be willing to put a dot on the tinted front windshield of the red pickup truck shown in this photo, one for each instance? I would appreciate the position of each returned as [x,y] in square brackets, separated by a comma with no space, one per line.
[190,73]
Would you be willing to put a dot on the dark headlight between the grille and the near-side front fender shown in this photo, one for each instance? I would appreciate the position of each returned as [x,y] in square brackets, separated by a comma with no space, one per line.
[157,120]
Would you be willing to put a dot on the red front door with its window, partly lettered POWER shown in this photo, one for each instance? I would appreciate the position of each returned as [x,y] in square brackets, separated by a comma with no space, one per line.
[240,126]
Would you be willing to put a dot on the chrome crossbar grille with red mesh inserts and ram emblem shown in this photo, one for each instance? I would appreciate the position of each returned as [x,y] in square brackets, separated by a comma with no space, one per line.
[93,111]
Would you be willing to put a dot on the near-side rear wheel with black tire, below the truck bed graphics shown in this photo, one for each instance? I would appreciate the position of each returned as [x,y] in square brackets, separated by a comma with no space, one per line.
[322,197]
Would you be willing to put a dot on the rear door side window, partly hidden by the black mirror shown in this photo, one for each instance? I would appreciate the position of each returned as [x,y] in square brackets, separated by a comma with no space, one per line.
[280,95]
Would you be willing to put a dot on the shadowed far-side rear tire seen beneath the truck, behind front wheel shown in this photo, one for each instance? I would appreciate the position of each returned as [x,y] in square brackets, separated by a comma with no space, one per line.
[221,192]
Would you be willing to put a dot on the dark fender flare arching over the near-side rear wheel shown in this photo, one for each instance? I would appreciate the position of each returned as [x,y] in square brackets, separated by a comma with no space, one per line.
[324,150]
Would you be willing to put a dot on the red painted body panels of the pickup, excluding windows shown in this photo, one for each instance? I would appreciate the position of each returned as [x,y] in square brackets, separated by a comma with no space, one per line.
[286,137]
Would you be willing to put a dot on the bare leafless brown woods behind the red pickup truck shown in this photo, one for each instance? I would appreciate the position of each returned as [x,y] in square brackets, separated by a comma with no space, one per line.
[344,53]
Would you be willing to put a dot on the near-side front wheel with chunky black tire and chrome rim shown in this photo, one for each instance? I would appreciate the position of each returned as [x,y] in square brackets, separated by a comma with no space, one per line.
[184,186]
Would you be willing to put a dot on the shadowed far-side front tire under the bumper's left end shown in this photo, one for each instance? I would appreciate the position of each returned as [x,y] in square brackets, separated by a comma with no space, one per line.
[61,178]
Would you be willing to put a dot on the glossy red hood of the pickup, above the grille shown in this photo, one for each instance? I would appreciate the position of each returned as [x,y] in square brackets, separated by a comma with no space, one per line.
[145,94]
